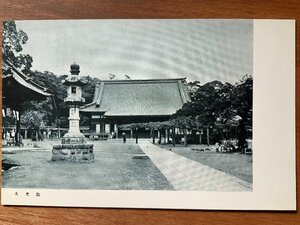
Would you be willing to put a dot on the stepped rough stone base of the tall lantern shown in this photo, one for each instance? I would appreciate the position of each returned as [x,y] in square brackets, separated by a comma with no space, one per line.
[73,149]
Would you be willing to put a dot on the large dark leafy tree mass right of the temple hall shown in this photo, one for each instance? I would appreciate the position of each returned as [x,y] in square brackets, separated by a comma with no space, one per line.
[222,109]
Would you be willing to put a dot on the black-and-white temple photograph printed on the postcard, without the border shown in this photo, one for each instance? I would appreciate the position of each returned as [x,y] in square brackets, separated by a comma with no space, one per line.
[128,105]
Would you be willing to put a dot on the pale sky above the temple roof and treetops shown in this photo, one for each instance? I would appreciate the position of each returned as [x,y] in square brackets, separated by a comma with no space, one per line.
[203,50]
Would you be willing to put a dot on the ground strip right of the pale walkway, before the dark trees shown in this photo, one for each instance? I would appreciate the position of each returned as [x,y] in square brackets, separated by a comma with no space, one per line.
[236,164]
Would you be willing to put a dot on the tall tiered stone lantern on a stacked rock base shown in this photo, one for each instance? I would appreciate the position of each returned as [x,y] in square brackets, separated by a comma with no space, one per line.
[73,145]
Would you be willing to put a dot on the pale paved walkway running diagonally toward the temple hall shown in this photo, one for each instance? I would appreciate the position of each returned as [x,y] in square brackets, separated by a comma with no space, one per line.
[188,175]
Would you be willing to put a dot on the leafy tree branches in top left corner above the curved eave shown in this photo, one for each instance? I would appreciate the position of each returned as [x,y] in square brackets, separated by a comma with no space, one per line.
[12,42]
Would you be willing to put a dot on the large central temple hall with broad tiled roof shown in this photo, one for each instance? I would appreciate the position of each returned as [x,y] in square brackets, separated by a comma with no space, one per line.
[118,102]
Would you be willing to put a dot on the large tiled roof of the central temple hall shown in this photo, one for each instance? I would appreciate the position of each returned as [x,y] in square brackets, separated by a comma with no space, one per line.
[138,97]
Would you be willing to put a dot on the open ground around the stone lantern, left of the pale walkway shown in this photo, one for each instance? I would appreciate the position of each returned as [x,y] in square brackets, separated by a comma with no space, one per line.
[113,169]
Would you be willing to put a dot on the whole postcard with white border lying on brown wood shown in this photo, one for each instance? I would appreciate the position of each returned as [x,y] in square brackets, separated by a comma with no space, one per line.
[149,113]
